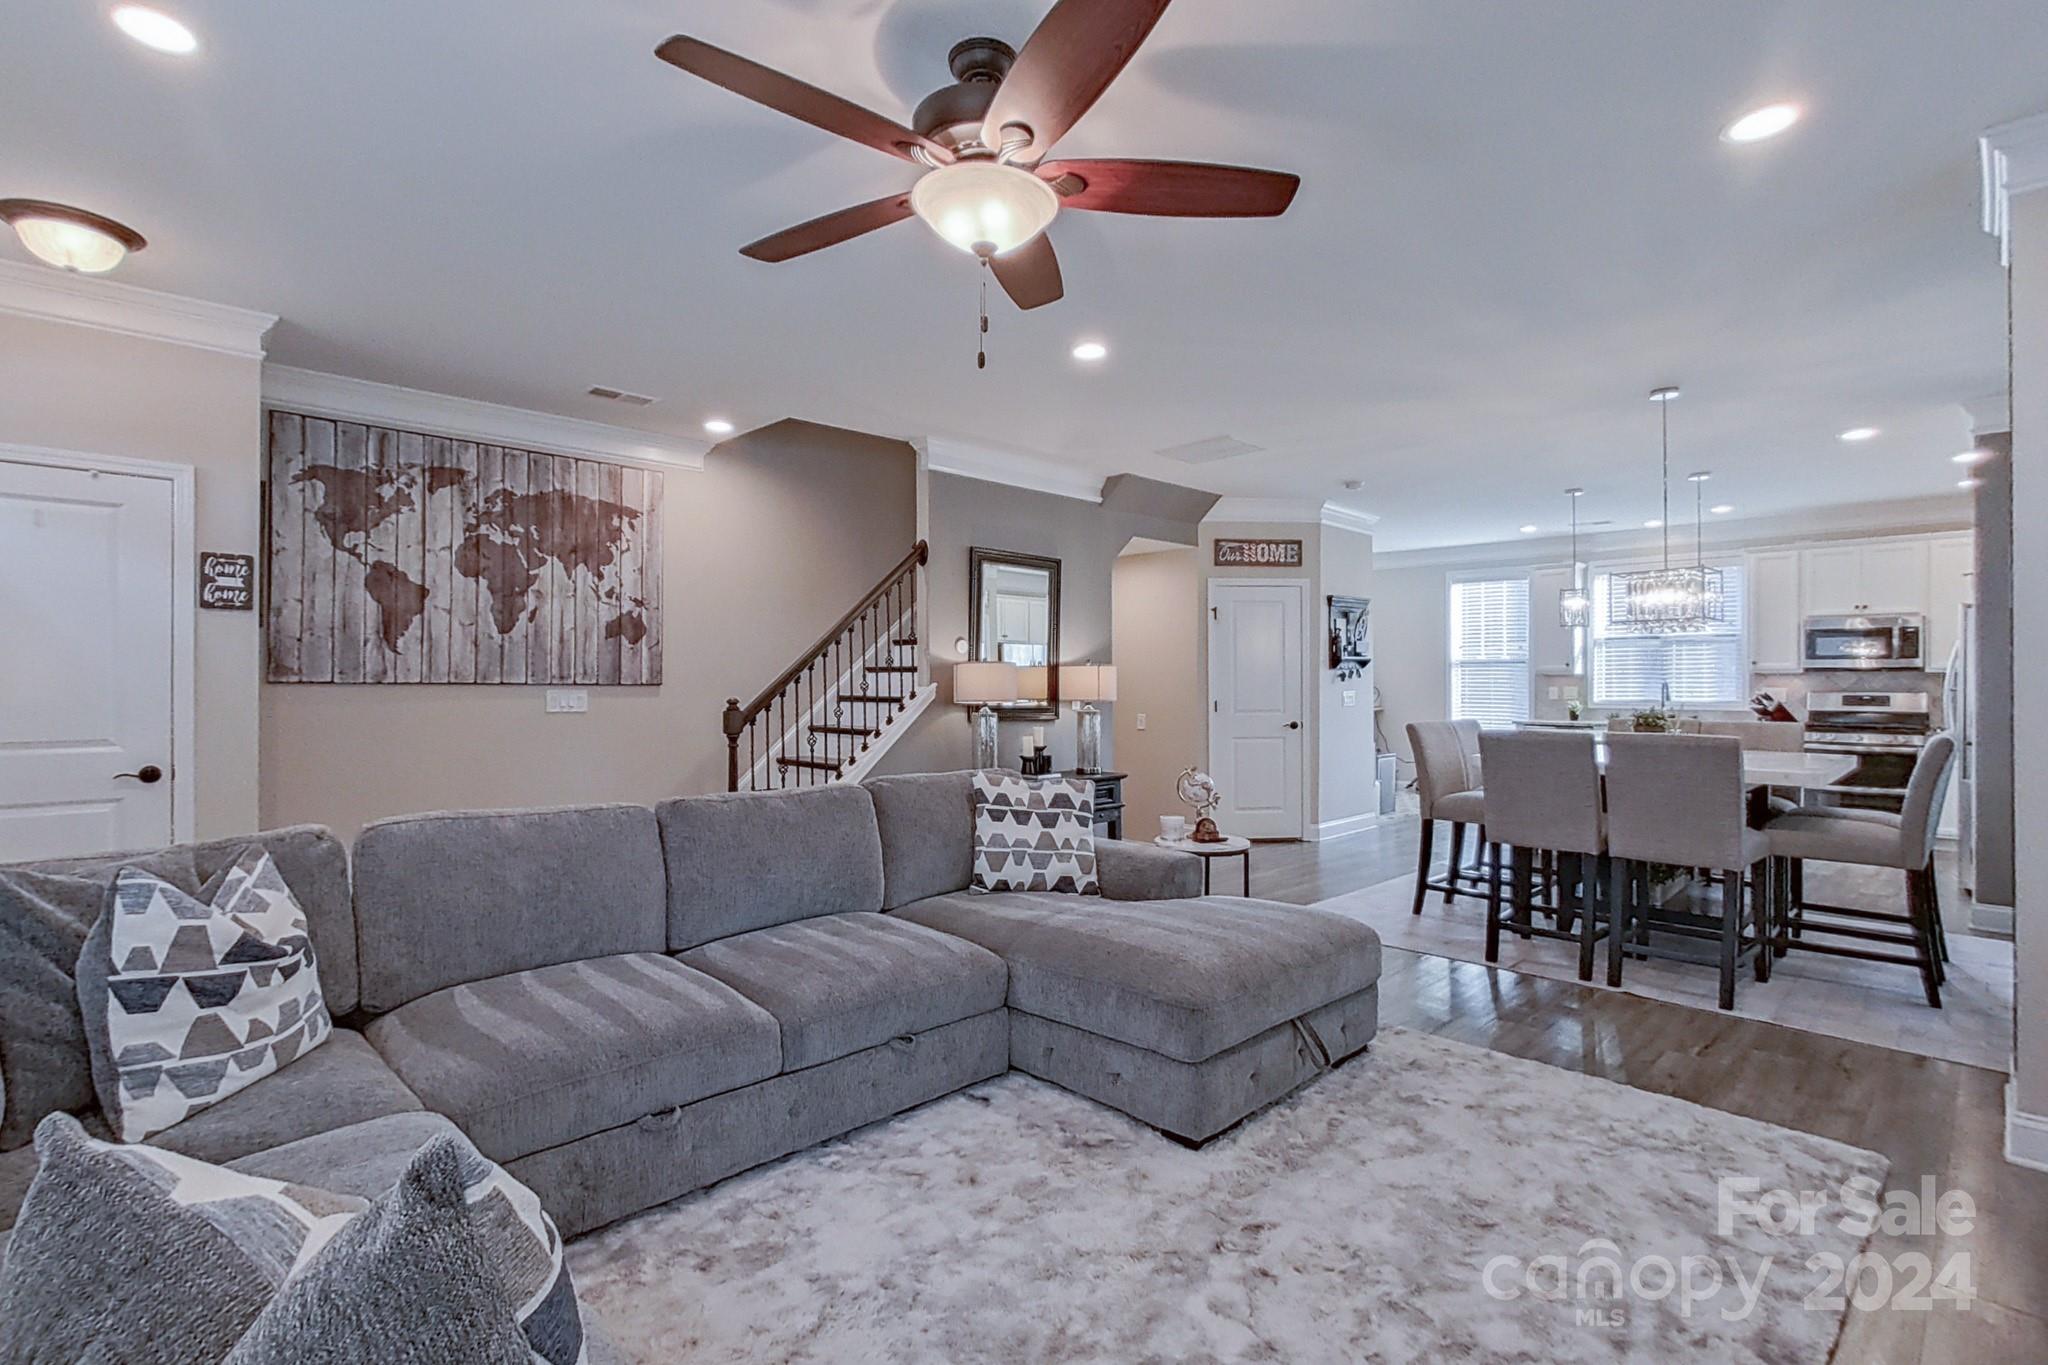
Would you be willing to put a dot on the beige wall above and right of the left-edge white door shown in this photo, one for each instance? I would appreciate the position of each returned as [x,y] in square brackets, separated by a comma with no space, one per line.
[91,392]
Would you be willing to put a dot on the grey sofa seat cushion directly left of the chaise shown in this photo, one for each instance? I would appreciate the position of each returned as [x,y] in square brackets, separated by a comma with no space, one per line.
[843,983]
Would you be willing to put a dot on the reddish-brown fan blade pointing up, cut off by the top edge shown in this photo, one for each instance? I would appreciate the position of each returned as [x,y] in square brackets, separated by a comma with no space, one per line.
[1066,67]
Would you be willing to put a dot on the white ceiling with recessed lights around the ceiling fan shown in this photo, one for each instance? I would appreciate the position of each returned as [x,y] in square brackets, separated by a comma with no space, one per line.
[1517,220]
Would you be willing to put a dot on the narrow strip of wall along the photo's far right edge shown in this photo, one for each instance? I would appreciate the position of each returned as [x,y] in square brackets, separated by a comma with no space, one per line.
[2031,648]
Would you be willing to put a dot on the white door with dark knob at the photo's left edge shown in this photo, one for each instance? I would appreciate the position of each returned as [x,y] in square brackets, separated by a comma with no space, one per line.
[87,619]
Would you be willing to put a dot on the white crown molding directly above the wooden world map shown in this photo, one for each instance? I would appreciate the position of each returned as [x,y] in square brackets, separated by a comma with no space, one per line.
[359,400]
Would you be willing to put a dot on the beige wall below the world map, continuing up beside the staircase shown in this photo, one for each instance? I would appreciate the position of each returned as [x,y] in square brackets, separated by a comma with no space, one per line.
[765,549]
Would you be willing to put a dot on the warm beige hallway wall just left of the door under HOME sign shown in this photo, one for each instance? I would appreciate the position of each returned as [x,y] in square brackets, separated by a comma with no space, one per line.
[1158,627]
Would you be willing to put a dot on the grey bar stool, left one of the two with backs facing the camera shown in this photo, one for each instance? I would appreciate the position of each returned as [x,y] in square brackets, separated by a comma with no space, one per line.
[1543,797]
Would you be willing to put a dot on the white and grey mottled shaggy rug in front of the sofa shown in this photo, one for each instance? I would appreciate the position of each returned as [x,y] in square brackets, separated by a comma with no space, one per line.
[1426,1202]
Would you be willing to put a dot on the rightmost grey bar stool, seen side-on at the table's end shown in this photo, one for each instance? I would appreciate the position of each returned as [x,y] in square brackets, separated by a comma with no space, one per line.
[1871,840]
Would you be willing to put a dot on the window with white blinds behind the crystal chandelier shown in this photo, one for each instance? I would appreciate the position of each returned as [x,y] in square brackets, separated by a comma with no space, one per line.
[1703,668]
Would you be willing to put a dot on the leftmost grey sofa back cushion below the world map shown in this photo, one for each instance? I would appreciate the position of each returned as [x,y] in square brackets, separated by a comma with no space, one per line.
[456,897]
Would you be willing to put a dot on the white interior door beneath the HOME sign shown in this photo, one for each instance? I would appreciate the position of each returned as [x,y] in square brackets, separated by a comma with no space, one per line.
[1256,707]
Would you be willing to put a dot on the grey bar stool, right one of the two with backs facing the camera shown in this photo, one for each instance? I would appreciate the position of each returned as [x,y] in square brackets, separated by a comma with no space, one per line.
[1678,801]
